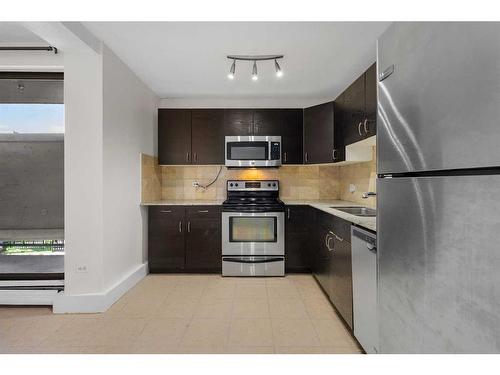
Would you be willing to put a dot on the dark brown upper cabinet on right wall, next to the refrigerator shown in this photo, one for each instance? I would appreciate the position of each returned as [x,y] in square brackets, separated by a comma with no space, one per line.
[358,105]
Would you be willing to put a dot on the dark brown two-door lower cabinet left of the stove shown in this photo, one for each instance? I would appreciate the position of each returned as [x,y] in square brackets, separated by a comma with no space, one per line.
[184,238]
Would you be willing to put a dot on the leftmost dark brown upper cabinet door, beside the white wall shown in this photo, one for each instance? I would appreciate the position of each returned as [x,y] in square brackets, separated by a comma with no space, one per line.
[174,136]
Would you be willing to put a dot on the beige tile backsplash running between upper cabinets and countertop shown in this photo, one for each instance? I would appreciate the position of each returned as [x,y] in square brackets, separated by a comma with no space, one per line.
[325,182]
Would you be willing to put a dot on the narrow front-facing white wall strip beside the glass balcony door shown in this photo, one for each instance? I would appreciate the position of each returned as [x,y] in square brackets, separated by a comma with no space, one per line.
[83,170]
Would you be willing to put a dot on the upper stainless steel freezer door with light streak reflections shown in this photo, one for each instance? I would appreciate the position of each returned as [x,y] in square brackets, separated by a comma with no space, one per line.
[440,106]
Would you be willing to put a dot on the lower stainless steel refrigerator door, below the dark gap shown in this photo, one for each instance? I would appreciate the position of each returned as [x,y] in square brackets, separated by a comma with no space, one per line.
[439,264]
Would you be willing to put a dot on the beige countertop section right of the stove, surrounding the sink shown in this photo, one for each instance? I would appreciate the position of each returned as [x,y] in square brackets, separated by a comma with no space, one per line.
[328,207]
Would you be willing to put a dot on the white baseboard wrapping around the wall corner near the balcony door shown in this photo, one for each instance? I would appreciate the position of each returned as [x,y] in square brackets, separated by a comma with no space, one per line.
[98,302]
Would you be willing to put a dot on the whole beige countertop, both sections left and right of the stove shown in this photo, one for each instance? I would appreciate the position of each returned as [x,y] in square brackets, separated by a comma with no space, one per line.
[323,205]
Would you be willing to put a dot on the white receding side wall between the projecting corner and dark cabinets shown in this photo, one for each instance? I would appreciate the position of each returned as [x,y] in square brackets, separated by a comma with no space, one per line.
[129,126]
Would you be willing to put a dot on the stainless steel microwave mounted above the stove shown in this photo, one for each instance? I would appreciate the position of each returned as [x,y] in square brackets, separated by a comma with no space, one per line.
[253,151]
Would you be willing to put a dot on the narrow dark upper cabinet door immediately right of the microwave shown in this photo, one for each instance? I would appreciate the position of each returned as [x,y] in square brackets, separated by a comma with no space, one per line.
[292,136]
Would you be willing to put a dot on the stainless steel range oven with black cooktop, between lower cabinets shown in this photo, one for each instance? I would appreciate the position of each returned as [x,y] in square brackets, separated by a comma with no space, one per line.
[253,229]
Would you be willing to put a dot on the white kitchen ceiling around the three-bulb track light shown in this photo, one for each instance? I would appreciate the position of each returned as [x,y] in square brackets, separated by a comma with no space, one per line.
[188,59]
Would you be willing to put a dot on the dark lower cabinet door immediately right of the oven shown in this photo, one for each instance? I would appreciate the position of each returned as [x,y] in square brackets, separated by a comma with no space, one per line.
[297,239]
